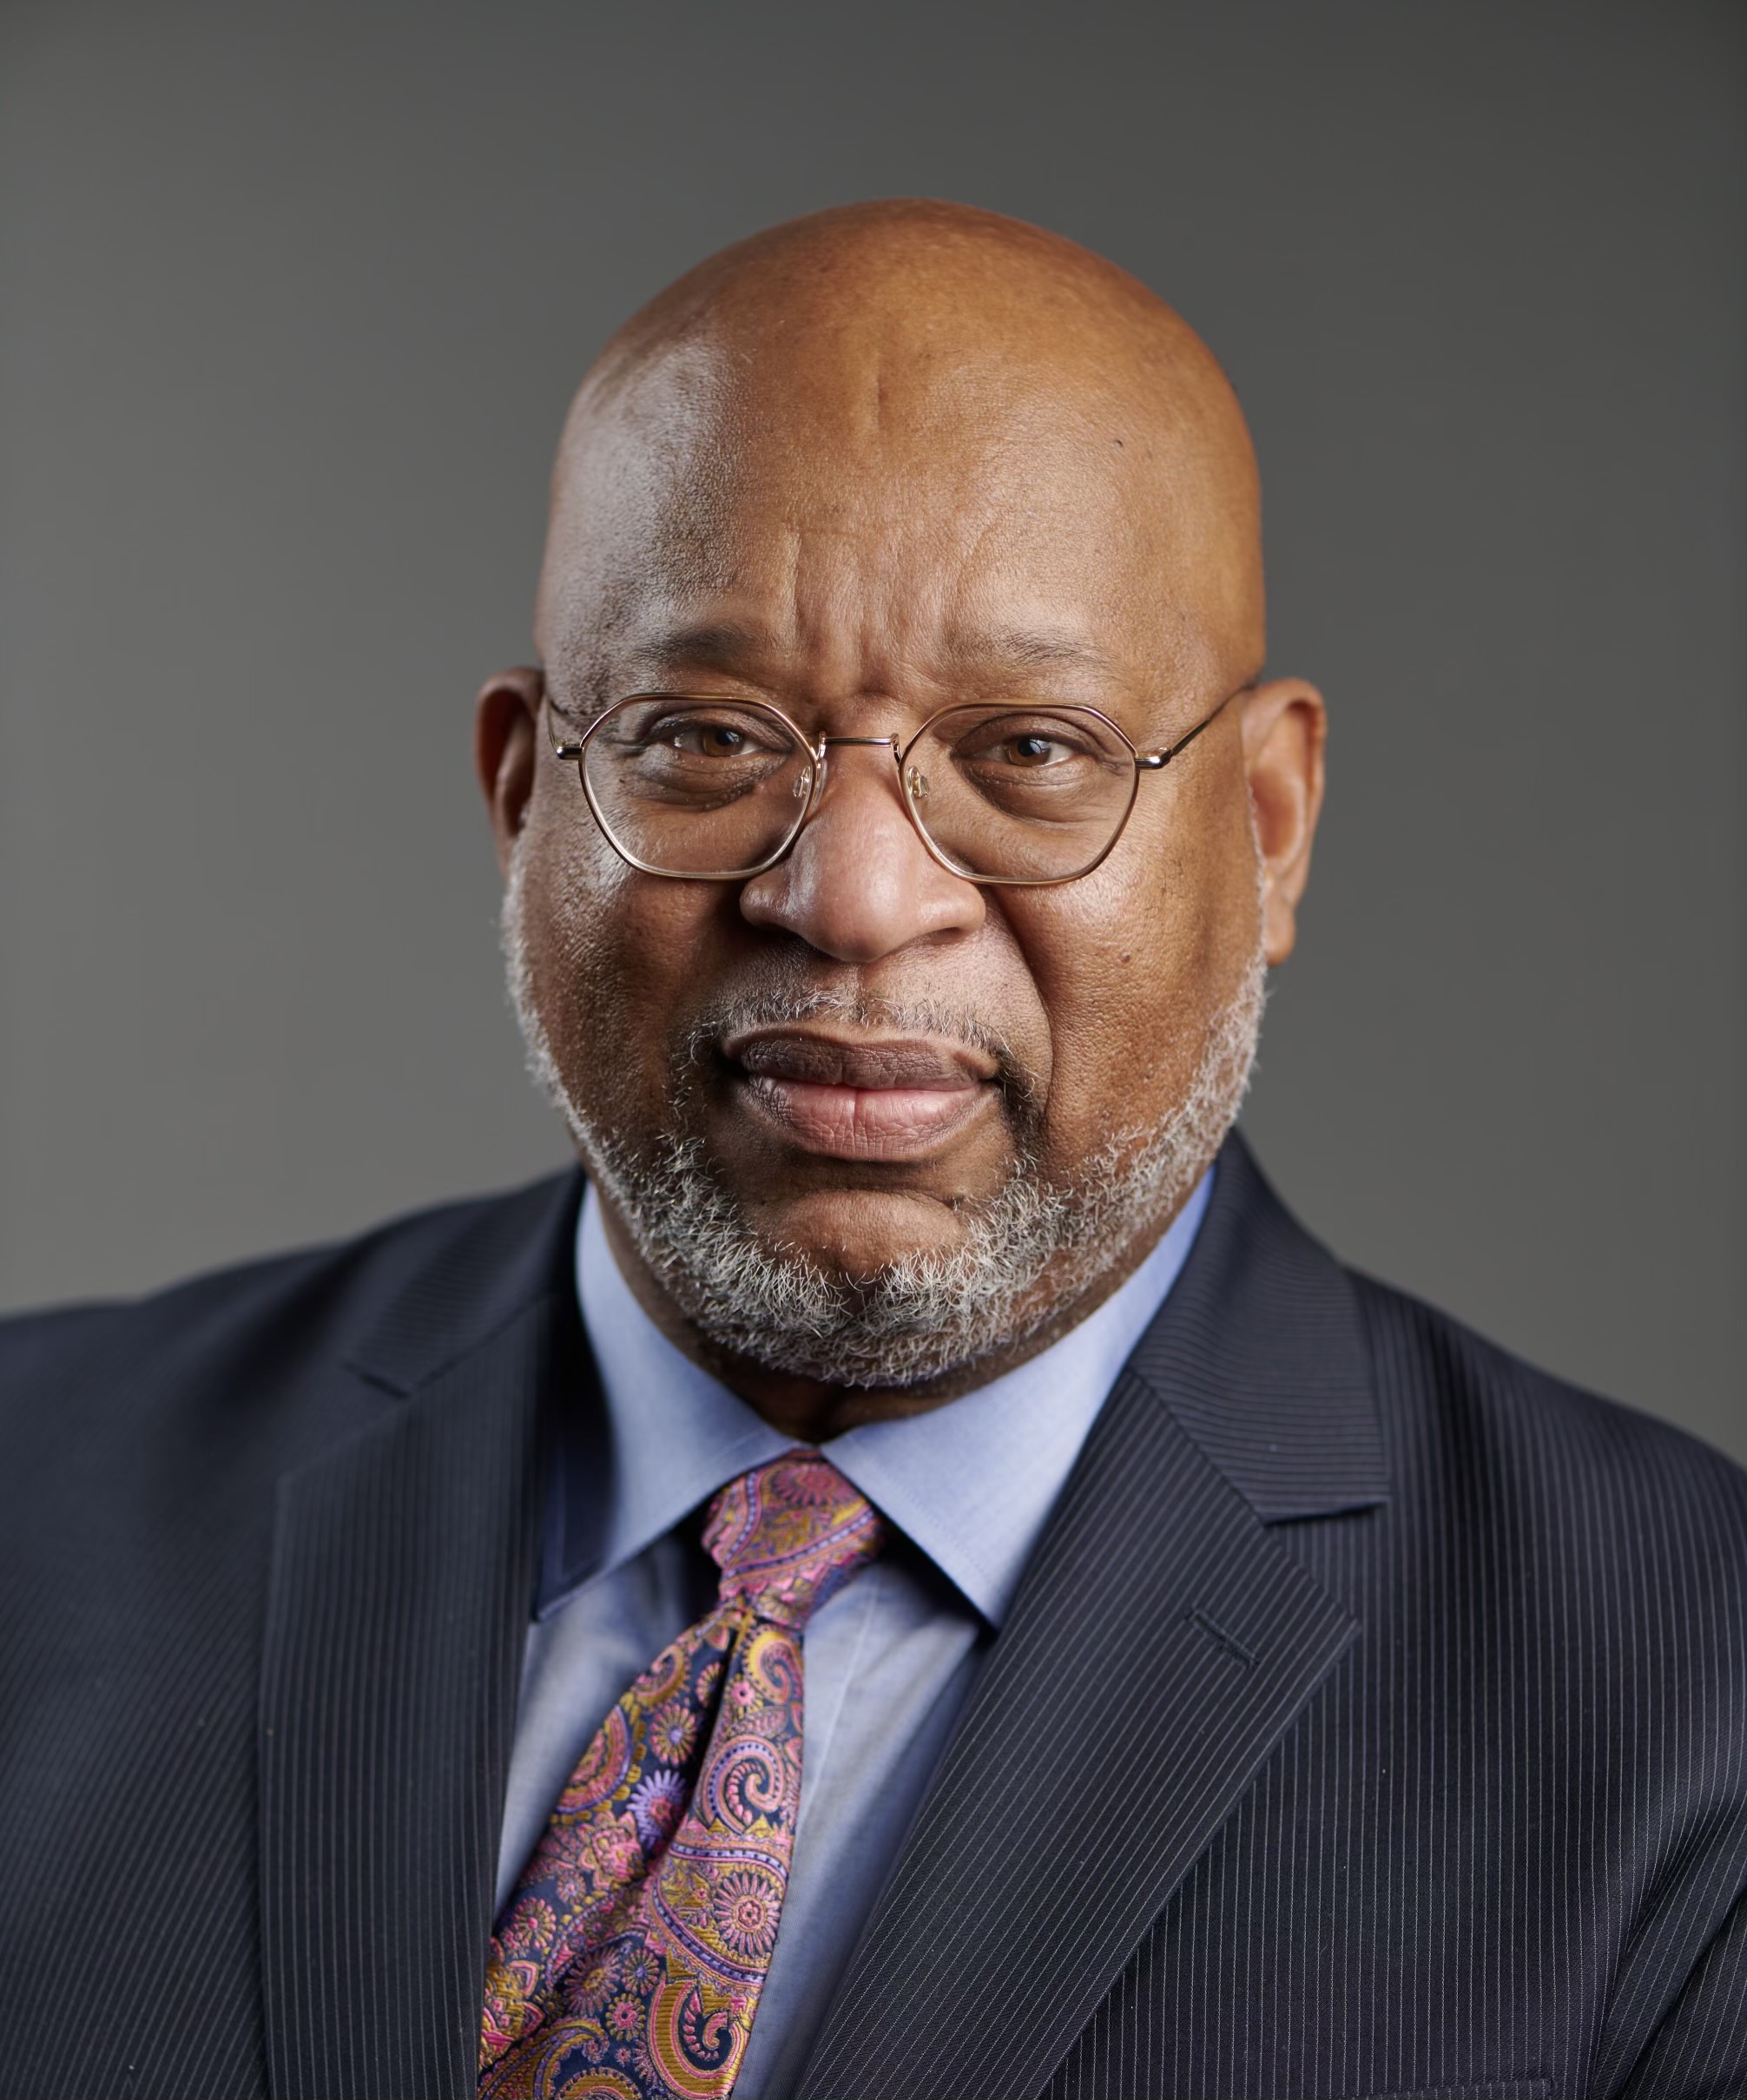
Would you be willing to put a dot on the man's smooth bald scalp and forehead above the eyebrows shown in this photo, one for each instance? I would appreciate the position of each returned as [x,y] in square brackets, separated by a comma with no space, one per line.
[908,364]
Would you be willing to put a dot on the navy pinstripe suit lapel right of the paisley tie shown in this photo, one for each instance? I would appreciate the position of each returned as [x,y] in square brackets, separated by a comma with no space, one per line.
[1160,1647]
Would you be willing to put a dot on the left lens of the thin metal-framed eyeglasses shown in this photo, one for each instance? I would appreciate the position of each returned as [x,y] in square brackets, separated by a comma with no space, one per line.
[698,786]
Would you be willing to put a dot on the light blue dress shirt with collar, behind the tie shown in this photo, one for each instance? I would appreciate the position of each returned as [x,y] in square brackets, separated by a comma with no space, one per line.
[889,1658]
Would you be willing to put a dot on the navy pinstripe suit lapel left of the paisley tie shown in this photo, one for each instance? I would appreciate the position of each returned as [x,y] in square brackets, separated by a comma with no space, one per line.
[402,1582]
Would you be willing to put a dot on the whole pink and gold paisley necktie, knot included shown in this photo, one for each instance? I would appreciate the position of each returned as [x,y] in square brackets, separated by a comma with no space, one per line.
[631,1958]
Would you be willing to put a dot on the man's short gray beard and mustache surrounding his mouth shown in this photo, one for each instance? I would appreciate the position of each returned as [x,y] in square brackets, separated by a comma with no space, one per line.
[931,1314]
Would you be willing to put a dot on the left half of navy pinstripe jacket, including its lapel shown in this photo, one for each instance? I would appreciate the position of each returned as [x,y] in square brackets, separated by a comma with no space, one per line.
[266,1559]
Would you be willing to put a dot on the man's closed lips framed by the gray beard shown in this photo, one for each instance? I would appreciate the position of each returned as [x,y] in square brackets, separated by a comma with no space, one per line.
[860,1097]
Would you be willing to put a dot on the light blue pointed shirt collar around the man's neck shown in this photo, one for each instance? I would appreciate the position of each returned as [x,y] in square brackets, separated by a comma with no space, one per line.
[971,1484]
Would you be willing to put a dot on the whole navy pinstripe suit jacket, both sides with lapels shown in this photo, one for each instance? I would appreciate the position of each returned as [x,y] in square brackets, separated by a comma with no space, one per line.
[1372,1719]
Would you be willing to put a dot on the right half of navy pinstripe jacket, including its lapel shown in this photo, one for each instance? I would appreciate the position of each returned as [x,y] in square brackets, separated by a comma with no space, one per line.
[1490,1836]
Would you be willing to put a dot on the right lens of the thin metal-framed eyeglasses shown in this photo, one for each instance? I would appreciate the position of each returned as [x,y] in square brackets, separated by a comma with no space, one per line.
[1019,795]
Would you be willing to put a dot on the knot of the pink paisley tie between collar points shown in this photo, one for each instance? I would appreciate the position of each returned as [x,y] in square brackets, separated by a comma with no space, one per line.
[791,1534]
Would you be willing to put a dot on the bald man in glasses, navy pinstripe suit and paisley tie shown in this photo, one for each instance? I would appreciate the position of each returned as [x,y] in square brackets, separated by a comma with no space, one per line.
[919,1580]
